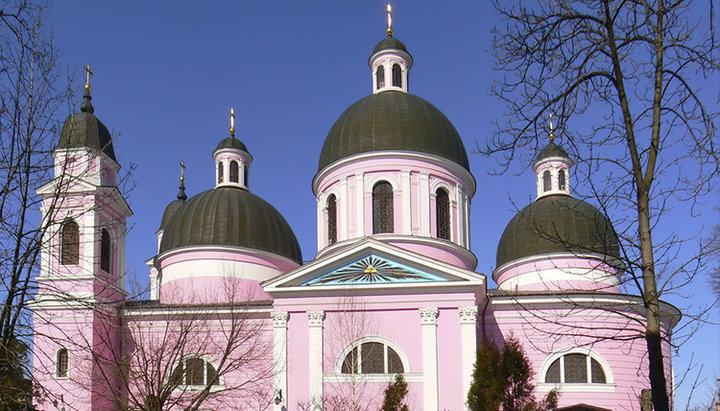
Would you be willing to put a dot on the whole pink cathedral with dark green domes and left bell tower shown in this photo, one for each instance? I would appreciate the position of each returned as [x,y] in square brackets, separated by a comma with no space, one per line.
[236,320]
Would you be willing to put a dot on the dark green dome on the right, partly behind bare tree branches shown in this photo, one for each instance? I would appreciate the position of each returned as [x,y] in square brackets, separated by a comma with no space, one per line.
[558,223]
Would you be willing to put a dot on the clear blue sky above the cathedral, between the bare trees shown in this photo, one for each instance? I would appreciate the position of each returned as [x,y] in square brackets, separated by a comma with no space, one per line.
[167,73]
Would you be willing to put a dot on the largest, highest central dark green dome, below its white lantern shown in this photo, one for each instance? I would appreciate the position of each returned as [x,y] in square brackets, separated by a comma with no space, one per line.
[393,120]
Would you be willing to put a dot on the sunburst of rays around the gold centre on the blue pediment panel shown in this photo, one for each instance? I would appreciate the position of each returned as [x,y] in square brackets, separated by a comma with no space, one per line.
[369,270]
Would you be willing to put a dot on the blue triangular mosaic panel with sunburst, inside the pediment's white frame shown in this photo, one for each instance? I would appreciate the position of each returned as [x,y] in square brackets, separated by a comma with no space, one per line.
[373,270]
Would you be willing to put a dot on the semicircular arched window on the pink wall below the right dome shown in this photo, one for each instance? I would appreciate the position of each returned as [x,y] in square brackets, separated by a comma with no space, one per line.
[575,368]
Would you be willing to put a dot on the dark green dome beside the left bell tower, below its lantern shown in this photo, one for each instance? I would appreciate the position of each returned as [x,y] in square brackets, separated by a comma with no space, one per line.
[230,216]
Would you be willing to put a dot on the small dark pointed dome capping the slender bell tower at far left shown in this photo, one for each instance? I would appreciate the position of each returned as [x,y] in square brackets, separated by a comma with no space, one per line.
[85,130]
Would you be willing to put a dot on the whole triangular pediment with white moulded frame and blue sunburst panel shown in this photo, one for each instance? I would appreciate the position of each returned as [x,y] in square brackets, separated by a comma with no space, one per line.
[373,264]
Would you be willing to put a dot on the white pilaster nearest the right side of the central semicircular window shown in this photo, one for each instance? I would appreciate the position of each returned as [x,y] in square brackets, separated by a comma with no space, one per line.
[428,321]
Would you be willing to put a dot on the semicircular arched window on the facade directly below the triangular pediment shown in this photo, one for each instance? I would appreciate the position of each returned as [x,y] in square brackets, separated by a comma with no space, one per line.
[372,358]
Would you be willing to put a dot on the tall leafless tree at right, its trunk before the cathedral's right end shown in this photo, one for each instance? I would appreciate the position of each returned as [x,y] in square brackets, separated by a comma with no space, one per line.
[628,78]
